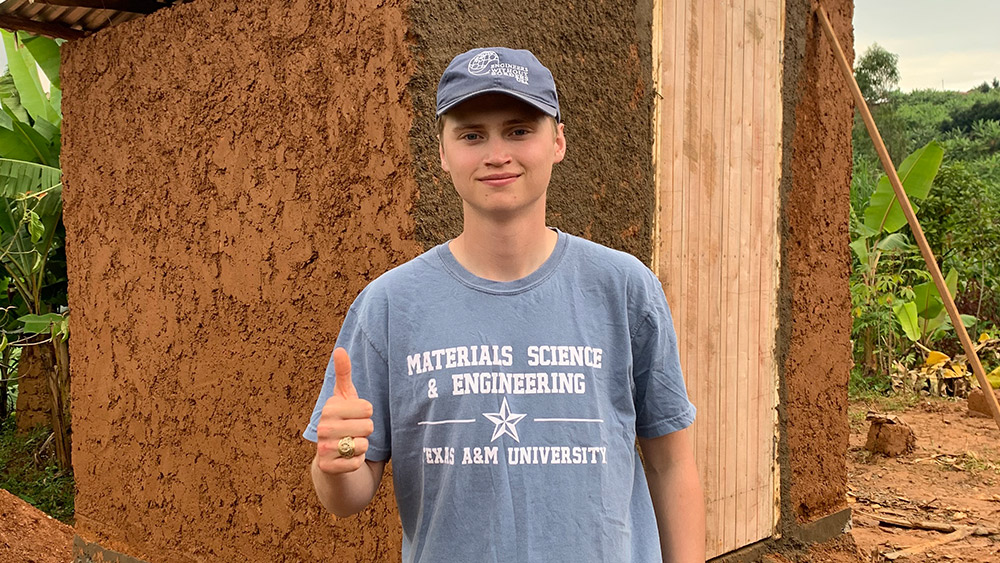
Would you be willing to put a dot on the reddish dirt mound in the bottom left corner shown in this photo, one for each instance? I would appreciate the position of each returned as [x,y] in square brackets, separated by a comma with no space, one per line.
[28,535]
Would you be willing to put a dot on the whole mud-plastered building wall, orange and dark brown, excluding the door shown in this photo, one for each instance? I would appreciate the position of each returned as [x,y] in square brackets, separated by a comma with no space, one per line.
[236,179]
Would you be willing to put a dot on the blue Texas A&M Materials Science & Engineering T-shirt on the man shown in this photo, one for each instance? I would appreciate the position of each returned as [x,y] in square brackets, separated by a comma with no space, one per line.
[511,409]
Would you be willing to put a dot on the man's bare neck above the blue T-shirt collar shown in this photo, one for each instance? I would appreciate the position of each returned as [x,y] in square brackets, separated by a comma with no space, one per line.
[503,251]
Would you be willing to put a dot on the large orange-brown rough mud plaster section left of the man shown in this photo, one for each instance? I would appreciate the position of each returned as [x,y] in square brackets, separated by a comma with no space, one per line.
[236,172]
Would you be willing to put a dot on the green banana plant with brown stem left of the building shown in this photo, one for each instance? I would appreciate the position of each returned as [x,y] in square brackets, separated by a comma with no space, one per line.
[31,202]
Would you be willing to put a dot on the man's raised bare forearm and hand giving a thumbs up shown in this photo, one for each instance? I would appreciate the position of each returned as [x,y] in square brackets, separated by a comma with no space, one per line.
[344,485]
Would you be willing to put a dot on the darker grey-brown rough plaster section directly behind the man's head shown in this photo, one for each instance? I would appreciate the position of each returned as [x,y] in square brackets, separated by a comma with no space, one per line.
[600,54]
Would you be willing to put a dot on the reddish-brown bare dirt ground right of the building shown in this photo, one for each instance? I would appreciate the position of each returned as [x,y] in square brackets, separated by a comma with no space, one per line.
[951,477]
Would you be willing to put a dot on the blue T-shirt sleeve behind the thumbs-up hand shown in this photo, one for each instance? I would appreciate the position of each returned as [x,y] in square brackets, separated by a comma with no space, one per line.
[369,373]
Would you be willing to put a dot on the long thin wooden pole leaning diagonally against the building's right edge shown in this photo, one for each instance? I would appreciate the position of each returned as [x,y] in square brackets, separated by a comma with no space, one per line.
[911,218]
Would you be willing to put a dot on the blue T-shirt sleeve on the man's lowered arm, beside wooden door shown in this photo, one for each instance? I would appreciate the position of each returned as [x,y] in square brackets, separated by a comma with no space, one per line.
[661,399]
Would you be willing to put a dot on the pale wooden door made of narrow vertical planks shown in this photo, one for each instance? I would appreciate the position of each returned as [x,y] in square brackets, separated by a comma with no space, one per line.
[717,151]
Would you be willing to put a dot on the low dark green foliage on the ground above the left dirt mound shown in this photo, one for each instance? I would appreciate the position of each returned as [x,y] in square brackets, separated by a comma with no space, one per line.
[43,484]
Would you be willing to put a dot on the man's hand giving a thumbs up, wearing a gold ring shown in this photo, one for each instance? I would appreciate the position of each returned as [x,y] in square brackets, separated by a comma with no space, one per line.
[345,418]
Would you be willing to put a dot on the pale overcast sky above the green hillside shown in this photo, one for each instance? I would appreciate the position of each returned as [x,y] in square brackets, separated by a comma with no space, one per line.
[952,45]
